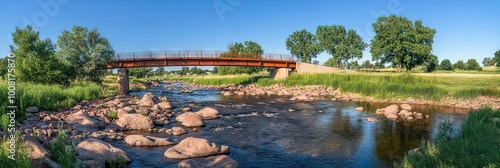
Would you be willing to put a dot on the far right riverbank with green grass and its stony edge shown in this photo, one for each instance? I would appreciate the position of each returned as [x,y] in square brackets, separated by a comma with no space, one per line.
[468,91]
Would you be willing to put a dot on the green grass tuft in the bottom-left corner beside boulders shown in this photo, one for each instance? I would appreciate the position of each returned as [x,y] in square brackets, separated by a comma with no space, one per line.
[21,153]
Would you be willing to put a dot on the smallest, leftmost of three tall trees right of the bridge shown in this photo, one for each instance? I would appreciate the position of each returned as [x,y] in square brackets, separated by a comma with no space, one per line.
[303,45]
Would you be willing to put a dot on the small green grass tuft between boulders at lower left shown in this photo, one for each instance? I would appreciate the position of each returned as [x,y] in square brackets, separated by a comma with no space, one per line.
[62,152]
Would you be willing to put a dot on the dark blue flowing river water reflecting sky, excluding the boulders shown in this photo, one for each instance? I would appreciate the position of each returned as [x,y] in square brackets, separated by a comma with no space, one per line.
[262,133]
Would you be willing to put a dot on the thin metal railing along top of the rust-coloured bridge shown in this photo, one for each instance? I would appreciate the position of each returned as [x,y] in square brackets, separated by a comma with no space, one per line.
[197,54]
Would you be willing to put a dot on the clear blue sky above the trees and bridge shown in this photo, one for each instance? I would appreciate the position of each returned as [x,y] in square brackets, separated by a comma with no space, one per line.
[465,28]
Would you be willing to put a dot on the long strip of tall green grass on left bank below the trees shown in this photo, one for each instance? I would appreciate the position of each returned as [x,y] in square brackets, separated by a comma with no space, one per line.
[46,97]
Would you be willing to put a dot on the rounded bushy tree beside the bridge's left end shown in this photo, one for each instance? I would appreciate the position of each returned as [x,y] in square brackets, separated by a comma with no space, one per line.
[85,52]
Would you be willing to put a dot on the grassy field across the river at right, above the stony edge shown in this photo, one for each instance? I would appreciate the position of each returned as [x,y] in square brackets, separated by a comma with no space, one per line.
[379,85]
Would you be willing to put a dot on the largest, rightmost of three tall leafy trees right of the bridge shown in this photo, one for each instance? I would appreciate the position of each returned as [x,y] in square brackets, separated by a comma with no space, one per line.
[401,42]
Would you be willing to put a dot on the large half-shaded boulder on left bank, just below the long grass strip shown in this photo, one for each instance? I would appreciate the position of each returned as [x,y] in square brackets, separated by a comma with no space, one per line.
[82,122]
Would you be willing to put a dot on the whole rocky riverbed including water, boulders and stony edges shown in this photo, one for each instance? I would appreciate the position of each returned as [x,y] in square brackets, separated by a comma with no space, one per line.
[185,125]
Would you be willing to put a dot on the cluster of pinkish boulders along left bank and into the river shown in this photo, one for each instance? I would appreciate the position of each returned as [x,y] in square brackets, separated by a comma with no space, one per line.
[88,122]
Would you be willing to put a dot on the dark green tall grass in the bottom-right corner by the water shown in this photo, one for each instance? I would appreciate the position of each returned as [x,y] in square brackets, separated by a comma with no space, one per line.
[475,144]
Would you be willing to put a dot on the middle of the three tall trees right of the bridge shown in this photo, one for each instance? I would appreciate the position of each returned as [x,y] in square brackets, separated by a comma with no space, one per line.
[341,44]
